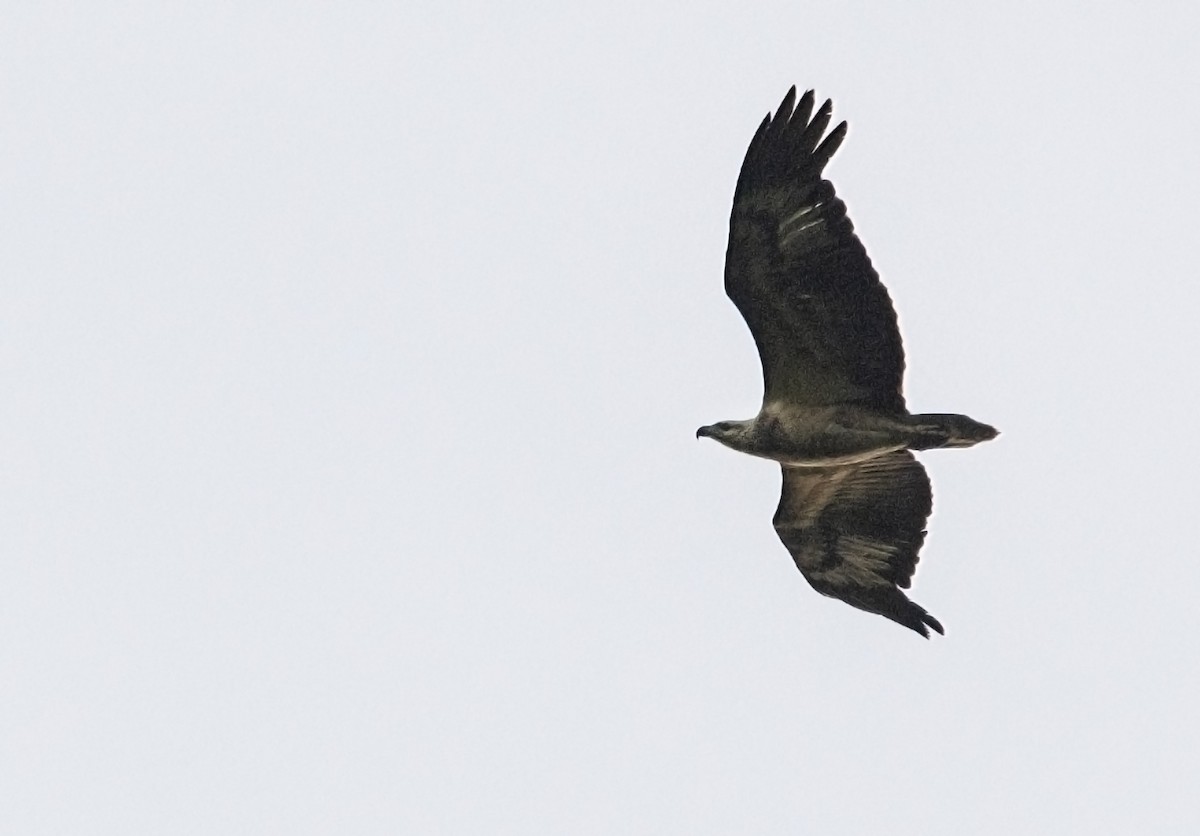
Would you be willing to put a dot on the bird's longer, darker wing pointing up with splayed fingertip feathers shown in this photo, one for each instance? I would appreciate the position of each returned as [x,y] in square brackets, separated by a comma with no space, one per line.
[824,323]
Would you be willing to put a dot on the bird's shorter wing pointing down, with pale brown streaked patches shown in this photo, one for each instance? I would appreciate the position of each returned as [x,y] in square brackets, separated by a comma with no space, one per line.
[855,532]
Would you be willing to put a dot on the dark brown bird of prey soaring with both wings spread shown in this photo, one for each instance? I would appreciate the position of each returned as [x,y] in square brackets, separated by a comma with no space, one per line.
[855,500]
